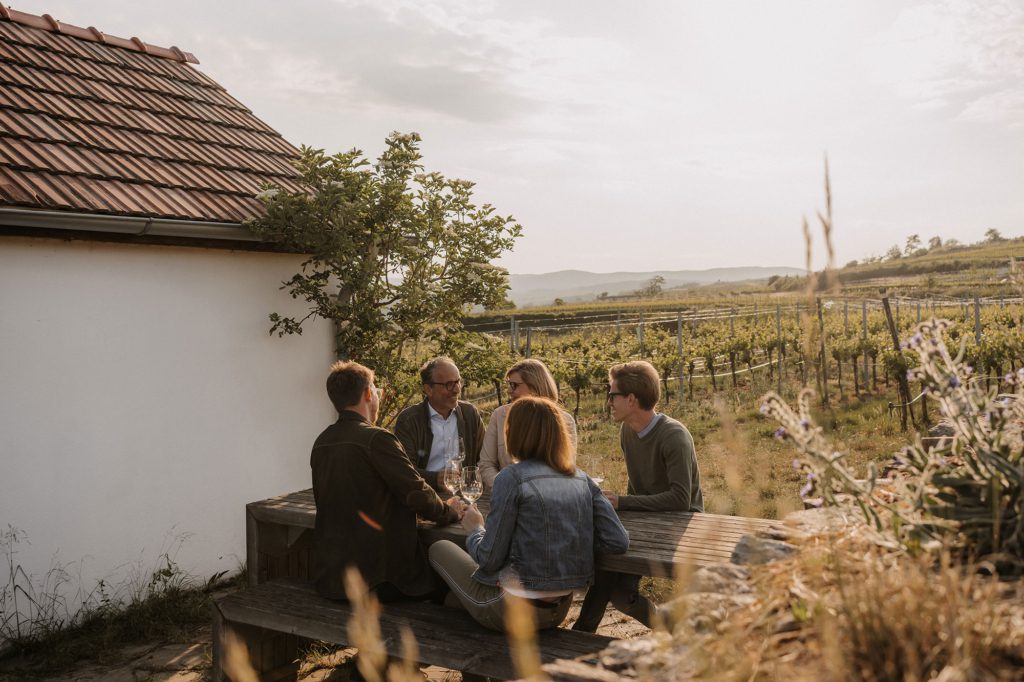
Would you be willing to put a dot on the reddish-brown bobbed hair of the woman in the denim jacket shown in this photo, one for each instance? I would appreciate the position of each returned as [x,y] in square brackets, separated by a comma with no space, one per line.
[535,431]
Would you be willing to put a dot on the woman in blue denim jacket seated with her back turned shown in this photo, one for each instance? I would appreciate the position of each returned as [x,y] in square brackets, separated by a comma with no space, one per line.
[547,522]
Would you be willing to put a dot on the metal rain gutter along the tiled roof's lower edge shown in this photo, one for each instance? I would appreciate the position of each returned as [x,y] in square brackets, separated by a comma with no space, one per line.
[117,225]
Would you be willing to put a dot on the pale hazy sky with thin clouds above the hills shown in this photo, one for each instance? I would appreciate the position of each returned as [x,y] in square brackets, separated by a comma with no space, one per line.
[675,135]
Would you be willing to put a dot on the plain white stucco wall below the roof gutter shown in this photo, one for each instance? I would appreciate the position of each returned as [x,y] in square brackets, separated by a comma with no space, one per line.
[143,402]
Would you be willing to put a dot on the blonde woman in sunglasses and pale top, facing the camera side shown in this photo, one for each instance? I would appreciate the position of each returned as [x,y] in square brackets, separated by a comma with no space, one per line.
[528,377]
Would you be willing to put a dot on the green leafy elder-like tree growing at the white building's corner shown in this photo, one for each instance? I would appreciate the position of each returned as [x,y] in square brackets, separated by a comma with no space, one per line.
[396,255]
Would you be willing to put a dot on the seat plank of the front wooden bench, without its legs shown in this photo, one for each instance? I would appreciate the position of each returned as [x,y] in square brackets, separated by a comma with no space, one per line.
[446,637]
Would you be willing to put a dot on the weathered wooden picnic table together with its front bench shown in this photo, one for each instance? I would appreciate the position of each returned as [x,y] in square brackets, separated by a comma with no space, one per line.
[278,613]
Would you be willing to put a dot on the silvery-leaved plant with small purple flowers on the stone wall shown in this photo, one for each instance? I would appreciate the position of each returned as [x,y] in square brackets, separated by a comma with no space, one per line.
[964,493]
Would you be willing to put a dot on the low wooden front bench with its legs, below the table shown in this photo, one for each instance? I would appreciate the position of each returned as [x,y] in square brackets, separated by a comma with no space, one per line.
[275,619]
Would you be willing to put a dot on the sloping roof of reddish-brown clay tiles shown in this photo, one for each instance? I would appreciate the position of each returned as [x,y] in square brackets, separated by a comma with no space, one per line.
[97,124]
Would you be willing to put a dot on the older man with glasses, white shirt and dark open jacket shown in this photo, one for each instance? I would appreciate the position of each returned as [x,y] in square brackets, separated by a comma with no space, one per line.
[432,431]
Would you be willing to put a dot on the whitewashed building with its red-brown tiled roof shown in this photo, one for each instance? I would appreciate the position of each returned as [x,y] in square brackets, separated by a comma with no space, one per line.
[143,402]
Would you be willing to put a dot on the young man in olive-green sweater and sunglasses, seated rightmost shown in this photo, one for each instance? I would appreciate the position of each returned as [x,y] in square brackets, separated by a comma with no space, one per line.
[663,477]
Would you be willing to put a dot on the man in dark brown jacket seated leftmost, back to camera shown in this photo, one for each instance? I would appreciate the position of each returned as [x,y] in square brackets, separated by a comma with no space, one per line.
[368,496]
